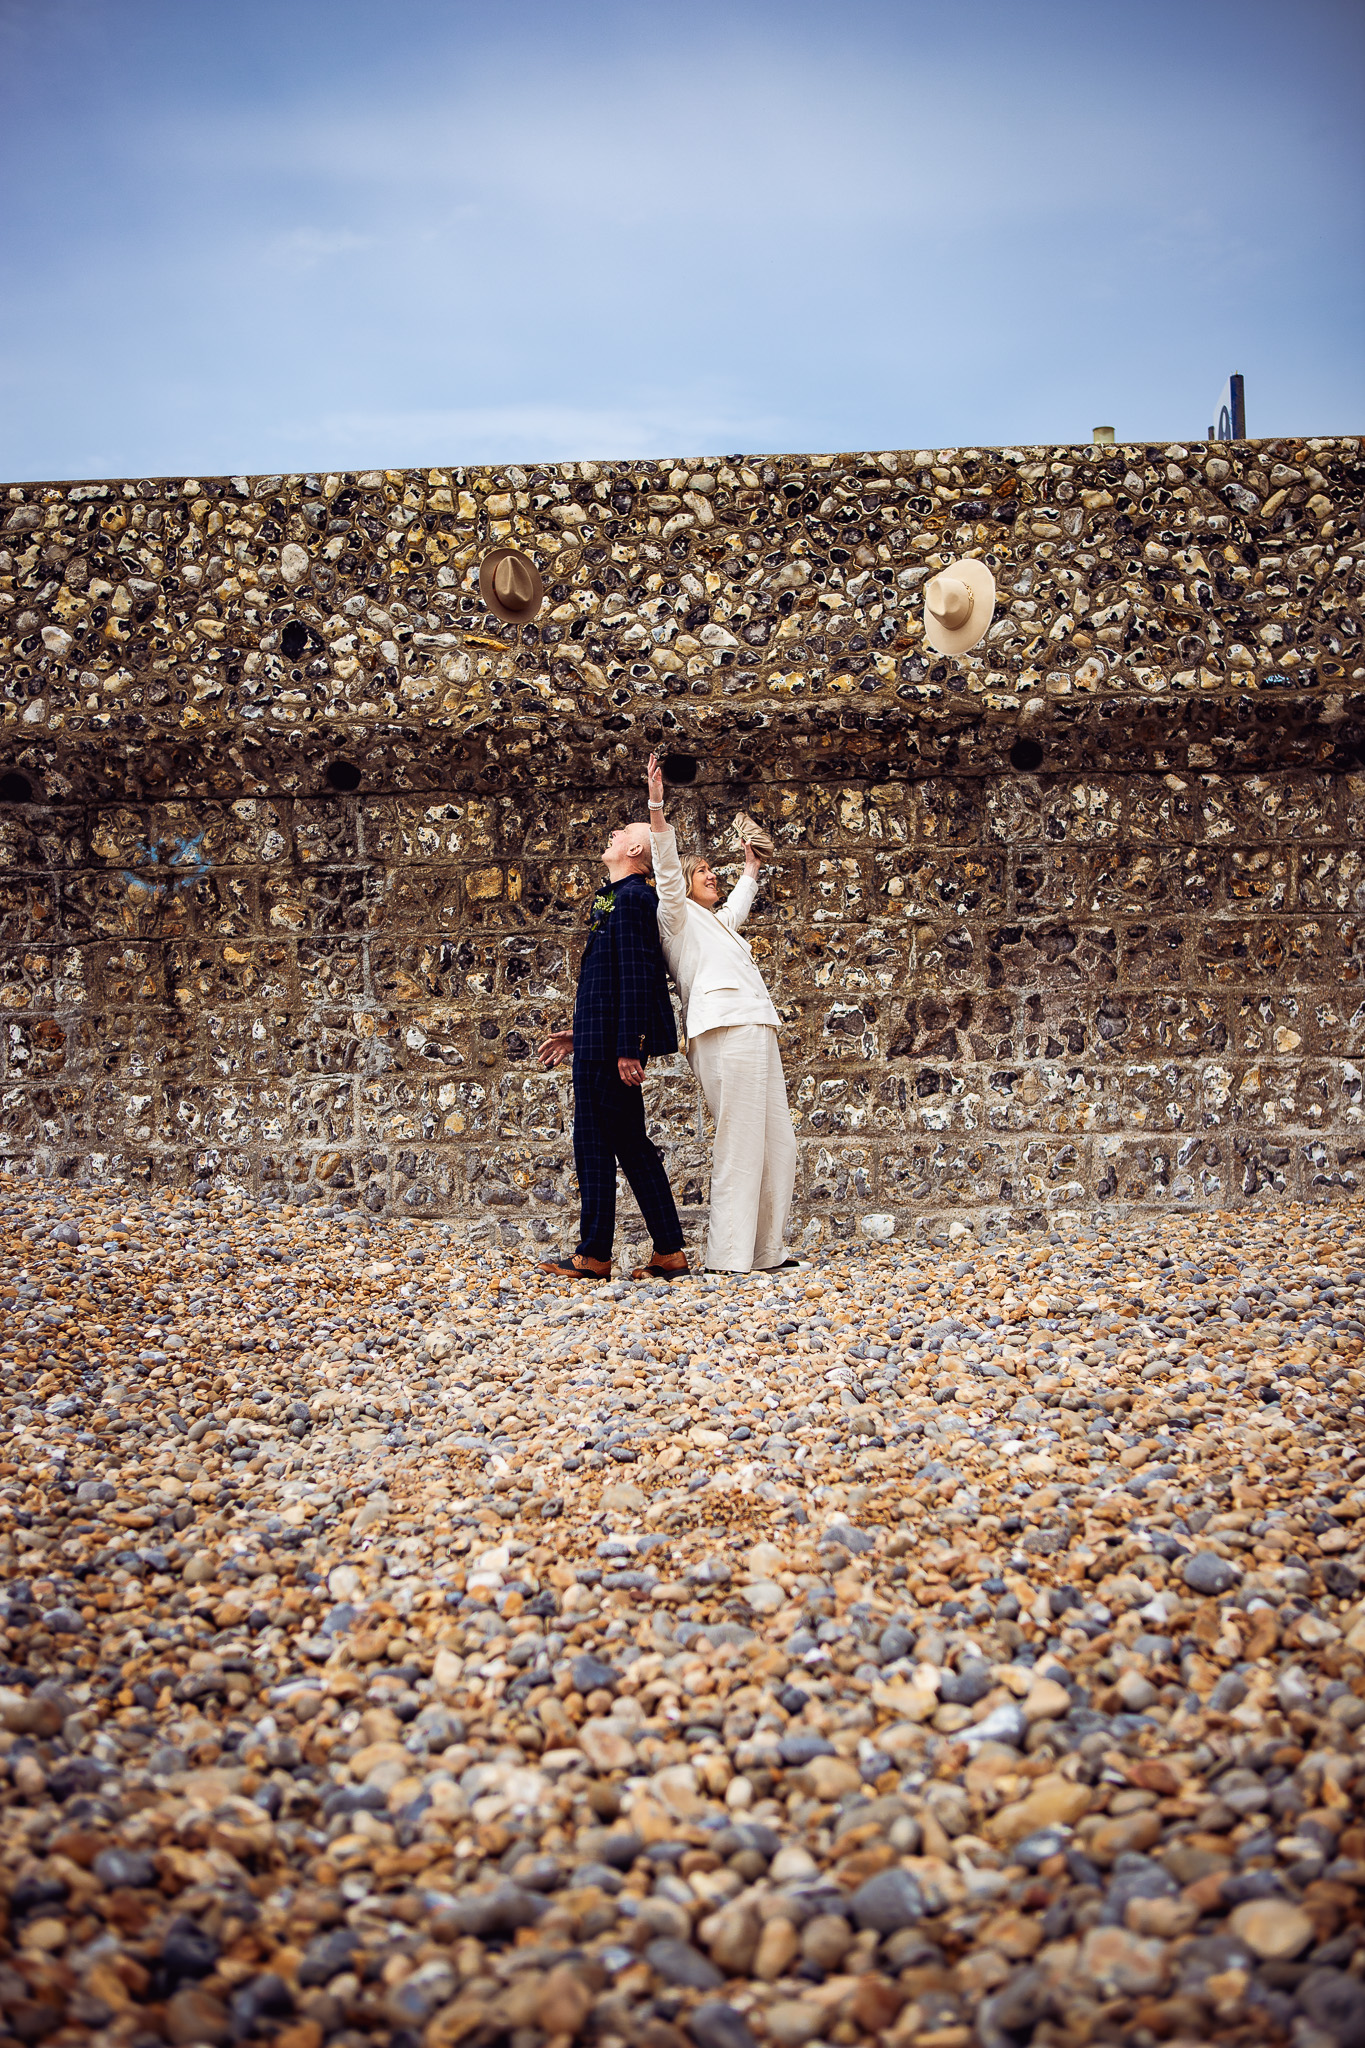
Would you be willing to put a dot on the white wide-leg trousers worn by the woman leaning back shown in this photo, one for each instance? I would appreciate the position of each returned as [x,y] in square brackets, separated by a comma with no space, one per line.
[754,1164]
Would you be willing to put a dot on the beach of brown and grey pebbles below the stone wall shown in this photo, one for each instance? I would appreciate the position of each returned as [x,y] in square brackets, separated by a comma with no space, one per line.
[920,1648]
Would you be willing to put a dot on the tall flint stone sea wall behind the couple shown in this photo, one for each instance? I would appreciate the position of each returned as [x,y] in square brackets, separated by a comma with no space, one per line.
[296,841]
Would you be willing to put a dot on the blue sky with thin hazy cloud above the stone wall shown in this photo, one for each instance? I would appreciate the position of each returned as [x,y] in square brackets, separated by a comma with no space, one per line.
[318,234]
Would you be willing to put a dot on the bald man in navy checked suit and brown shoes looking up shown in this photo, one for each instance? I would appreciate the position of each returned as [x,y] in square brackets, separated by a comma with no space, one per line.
[621,1017]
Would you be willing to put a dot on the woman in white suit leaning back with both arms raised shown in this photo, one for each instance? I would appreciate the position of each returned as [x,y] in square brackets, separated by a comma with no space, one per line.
[732,1048]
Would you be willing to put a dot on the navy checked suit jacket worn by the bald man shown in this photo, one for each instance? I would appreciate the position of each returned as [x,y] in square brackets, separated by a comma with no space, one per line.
[623,1007]
